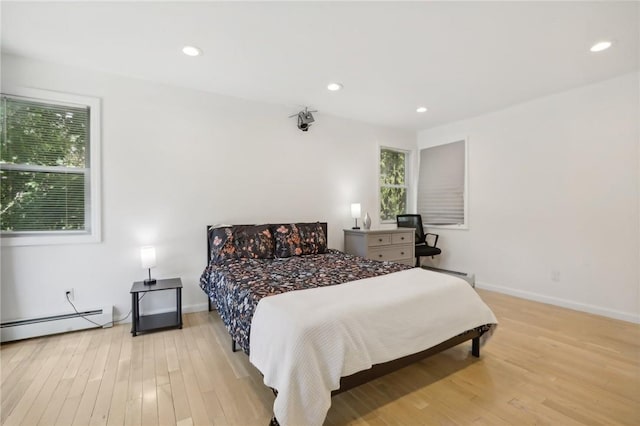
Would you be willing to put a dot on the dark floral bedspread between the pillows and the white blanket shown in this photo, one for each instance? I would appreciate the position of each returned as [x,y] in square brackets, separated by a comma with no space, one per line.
[235,286]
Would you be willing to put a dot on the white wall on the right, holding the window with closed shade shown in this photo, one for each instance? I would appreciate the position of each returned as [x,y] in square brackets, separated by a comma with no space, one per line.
[554,185]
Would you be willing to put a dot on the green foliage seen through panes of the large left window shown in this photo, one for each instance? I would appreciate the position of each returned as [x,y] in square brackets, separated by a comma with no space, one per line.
[43,166]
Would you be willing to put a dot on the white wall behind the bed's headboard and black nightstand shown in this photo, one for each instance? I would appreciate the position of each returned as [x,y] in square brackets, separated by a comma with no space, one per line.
[175,160]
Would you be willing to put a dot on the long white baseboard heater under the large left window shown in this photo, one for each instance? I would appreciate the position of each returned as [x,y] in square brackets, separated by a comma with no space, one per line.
[54,324]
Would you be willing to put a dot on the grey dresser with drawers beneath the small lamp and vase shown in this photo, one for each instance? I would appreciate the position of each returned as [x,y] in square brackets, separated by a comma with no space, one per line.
[395,245]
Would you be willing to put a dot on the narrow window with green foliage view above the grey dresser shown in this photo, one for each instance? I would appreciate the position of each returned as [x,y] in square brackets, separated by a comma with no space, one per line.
[393,184]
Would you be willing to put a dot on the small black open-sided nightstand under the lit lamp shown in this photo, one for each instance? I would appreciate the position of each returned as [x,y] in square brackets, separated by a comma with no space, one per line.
[145,323]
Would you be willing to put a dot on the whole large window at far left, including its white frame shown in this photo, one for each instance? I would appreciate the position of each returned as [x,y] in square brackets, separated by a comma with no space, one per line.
[49,146]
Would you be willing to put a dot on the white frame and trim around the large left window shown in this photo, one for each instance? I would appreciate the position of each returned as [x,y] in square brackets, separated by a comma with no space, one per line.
[93,205]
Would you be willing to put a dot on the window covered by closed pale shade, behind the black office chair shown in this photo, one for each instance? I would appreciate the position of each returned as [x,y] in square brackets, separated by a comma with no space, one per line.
[442,185]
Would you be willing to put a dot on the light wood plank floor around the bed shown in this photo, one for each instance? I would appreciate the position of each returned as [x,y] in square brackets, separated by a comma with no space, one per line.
[544,365]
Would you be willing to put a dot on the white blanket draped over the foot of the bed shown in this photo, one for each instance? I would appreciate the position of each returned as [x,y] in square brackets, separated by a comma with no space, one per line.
[304,341]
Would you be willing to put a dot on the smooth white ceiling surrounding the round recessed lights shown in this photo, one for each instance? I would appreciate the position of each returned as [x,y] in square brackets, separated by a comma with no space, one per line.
[459,59]
